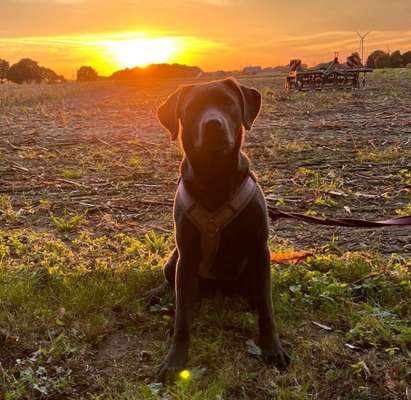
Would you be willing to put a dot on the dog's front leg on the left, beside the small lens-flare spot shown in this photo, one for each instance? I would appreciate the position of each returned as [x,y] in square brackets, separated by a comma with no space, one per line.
[186,288]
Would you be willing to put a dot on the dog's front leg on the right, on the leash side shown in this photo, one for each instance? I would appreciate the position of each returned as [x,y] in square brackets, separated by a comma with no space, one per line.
[271,347]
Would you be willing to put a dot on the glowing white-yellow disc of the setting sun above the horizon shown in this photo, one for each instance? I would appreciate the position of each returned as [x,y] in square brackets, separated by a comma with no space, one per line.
[141,52]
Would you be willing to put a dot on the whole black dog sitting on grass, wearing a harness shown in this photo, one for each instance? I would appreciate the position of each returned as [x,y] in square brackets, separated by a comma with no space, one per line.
[220,215]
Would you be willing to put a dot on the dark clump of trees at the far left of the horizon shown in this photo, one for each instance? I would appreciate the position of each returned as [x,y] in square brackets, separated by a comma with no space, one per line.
[28,71]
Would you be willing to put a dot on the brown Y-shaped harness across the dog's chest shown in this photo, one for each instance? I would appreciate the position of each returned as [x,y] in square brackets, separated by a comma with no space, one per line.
[211,224]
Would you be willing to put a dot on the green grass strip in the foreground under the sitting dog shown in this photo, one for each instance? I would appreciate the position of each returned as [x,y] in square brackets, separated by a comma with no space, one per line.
[63,303]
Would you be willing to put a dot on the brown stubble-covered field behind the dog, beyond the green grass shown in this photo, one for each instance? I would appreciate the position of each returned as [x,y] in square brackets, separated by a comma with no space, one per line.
[128,167]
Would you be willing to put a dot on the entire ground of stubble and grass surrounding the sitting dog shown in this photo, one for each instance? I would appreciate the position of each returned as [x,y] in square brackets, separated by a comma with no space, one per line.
[87,178]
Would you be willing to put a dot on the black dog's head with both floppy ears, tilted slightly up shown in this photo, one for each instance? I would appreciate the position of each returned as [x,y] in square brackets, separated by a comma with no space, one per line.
[210,116]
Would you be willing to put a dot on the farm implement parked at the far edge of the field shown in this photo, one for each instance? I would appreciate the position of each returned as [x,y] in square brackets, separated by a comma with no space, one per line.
[332,75]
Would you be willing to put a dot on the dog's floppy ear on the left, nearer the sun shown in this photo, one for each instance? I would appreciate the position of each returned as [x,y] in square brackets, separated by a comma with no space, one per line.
[169,112]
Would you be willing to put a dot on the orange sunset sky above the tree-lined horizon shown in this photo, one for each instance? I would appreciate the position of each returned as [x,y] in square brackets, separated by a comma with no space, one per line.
[213,34]
